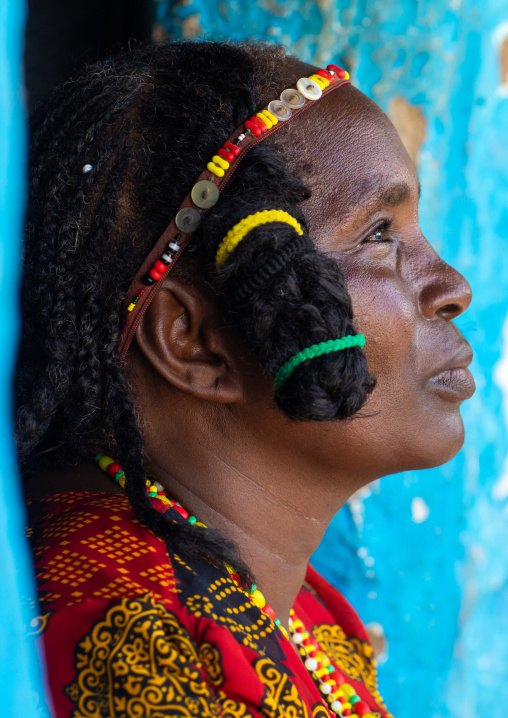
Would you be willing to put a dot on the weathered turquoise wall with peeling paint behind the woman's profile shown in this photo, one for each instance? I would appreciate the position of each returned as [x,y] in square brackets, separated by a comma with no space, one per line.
[425,554]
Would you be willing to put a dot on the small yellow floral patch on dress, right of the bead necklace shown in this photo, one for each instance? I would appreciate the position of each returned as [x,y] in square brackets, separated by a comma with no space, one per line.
[352,655]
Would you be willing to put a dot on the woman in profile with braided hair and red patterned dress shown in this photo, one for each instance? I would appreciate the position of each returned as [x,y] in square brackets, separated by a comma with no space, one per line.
[164,321]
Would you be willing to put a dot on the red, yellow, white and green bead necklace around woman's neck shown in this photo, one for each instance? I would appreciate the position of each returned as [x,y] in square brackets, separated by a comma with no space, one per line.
[339,697]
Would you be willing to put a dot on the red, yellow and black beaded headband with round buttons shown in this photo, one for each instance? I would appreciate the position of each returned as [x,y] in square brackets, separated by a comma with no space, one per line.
[207,188]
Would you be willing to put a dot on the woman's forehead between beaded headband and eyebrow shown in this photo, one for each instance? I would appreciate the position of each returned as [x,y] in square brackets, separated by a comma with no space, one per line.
[350,155]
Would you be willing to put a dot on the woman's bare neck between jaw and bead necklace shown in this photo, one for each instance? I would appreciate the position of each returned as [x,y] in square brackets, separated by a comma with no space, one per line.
[276,514]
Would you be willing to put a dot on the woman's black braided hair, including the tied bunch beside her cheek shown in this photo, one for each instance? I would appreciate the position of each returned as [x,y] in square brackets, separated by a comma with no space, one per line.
[148,121]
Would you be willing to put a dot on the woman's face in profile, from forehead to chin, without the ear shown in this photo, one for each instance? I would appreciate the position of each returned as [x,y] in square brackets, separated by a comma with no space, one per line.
[364,210]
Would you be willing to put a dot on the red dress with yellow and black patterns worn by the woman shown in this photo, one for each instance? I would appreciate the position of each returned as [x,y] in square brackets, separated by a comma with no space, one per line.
[131,630]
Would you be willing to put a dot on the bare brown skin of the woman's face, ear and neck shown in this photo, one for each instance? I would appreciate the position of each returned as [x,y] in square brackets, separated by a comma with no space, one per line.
[213,436]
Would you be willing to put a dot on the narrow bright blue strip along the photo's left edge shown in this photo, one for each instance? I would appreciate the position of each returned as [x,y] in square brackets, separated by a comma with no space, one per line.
[20,685]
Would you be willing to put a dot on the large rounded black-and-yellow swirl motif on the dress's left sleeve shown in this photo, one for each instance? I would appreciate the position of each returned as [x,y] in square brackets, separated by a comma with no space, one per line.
[140,661]
